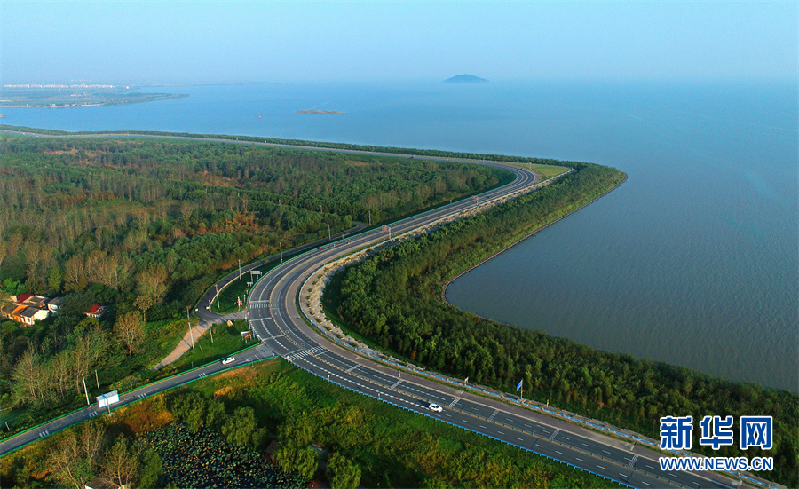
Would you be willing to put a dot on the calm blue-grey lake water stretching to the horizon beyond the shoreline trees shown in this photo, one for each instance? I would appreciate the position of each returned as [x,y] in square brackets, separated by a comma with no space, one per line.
[693,261]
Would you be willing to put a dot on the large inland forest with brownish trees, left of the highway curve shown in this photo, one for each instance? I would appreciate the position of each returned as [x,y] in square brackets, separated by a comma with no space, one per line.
[145,226]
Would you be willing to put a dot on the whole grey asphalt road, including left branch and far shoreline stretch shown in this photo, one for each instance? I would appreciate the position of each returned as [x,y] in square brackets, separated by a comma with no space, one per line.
[275,318]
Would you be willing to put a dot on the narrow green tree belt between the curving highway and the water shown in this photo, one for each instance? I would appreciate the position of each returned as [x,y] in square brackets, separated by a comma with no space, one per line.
[393,300]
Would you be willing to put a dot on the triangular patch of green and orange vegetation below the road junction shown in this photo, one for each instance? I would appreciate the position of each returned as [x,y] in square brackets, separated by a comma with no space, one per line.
[271,424]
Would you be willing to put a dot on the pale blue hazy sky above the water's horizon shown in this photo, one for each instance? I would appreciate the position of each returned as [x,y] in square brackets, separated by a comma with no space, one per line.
[153,42]
